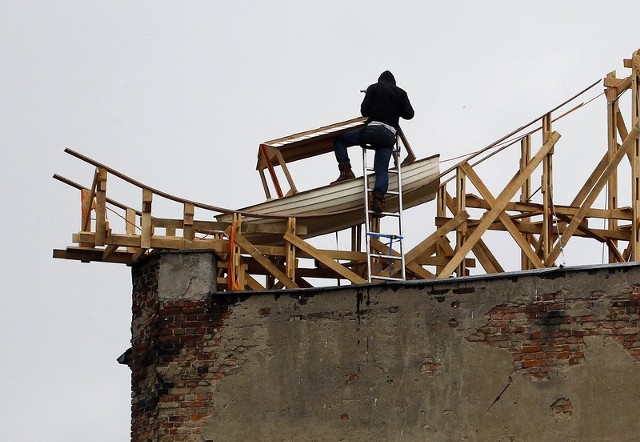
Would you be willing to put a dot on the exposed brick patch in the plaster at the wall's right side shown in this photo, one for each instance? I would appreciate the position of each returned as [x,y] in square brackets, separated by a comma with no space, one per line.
[550,331]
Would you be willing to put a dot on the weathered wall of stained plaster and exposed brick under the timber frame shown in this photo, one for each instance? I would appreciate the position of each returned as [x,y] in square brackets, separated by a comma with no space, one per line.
[531,356]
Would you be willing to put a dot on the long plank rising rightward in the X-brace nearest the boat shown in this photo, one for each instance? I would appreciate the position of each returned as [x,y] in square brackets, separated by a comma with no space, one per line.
[504,197]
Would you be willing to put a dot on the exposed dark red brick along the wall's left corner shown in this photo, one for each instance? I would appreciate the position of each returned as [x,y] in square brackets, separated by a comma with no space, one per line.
[173,359]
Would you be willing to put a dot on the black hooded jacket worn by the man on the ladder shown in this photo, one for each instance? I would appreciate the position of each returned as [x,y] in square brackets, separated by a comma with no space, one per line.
[385,102]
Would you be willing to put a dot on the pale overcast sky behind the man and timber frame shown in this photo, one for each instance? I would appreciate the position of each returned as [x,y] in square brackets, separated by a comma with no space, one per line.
[179,95]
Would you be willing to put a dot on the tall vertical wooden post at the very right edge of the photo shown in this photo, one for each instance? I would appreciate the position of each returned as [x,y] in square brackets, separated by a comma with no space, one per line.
[635,121]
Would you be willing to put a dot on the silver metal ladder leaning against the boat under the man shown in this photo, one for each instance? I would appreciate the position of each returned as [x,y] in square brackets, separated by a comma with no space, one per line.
[383,265]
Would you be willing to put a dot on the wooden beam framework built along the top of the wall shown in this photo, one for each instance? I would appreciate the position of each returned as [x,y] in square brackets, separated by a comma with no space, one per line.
[540,229]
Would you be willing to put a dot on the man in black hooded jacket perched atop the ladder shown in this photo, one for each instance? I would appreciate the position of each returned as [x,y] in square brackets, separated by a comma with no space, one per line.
[383,105]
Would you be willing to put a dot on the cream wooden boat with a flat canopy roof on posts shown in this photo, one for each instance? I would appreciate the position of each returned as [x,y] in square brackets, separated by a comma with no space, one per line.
[329,208]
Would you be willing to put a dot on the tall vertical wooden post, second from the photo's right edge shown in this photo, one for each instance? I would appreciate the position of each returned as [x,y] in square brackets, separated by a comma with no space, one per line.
[612,143]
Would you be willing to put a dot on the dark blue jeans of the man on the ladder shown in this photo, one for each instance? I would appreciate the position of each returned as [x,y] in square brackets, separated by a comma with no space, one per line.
[374,137]
